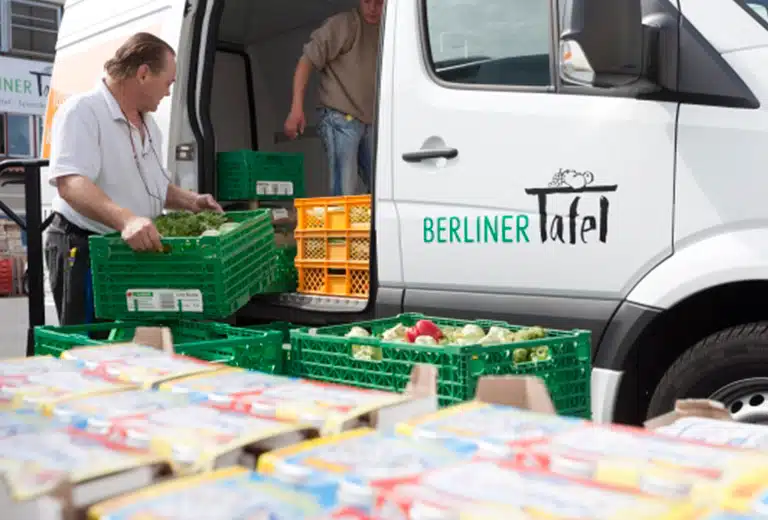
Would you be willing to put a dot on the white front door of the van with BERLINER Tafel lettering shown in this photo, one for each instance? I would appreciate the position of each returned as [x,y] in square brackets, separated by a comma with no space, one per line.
[493,209]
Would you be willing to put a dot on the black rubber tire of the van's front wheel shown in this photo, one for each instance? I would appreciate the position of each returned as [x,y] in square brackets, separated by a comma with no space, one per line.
[731,355]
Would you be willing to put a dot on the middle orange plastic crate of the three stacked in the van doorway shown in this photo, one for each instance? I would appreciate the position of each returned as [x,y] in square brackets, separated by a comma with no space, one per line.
[333,246]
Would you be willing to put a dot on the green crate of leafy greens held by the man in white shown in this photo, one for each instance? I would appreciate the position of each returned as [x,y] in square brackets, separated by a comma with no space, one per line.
[207,277]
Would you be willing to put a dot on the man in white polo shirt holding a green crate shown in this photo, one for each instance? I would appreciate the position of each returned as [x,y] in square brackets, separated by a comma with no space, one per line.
[105,163]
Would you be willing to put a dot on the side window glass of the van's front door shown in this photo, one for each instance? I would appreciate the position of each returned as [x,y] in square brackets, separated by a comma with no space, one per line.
[489,42]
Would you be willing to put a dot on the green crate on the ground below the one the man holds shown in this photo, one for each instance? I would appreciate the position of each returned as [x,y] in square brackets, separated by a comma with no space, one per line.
[214,342]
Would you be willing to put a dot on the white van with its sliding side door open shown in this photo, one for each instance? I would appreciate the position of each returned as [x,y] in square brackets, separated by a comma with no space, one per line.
[598,164]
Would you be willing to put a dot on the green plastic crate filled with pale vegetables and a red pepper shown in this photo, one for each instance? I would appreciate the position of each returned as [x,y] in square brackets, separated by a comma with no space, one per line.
[325,354]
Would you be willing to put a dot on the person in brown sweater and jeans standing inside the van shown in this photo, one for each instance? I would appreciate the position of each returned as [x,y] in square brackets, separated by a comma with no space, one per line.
[344,50]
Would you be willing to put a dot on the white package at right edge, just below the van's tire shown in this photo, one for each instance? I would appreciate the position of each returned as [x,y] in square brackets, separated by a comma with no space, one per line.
[718,432]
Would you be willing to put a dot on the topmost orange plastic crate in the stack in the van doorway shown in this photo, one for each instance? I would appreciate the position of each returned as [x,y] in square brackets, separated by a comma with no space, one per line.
[334,213]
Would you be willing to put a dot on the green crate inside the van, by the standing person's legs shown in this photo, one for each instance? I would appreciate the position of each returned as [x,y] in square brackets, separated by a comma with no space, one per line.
[253,175]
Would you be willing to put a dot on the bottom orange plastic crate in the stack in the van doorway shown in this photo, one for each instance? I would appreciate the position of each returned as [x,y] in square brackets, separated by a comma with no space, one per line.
[333,279]
